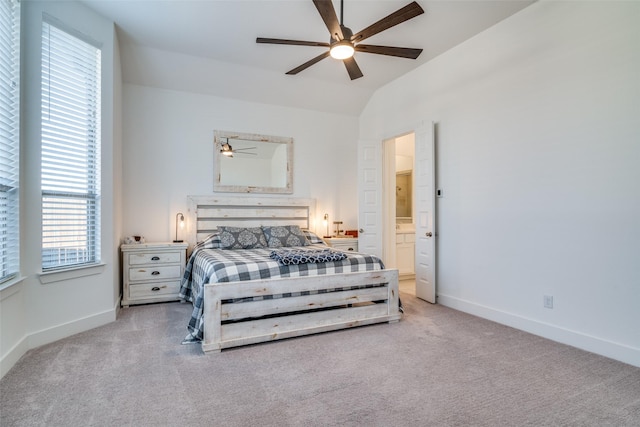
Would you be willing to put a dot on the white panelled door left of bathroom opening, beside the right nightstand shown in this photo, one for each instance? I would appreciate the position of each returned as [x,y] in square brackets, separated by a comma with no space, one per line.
[370,197]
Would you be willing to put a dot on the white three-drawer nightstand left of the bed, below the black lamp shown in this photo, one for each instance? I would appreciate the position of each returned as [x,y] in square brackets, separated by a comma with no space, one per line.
[151,272]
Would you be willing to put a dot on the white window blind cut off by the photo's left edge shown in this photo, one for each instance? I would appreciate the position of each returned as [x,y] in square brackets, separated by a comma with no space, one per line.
[9,137]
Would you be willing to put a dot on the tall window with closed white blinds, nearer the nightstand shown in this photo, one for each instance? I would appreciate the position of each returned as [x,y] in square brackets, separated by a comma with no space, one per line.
[70,149]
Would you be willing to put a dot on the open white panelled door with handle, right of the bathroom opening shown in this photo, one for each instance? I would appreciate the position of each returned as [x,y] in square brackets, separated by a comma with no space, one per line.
[425,193]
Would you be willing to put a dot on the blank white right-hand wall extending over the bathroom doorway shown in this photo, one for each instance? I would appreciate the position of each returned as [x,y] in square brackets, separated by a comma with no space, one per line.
[538,146]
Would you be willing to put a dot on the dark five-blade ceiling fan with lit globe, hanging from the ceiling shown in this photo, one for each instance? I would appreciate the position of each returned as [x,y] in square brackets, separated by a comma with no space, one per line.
[343,43]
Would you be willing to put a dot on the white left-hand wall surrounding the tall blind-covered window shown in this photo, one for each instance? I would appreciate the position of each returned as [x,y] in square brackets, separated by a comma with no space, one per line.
[33,313]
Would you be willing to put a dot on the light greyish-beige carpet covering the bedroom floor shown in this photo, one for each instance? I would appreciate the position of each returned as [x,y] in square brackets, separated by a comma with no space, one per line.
[436,367]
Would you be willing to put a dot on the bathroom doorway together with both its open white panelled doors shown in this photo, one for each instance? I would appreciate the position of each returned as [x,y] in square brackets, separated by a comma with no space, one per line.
[377,217]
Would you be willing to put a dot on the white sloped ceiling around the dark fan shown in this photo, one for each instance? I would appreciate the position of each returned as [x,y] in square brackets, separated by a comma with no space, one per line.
[208,46]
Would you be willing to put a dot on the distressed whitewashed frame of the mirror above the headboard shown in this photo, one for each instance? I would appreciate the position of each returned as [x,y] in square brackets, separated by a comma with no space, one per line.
[222,137]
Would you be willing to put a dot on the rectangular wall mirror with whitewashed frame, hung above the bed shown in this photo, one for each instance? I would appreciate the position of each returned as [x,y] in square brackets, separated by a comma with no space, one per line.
[252,163]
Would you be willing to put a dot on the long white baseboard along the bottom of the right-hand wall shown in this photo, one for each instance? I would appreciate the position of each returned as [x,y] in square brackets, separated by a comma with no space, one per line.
[612,350]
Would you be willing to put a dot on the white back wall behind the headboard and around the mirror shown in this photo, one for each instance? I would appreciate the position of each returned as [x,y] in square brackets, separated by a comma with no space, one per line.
[168,154]
